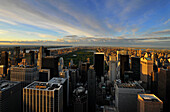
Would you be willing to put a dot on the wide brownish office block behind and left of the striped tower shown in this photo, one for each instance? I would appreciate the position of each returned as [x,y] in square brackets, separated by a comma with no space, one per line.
[25,74]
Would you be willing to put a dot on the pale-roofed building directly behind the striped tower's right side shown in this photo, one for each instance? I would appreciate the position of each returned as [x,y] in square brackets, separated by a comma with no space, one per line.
[64,83]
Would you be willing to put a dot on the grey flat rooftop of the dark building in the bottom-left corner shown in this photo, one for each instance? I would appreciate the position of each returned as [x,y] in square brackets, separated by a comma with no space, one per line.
[4,85]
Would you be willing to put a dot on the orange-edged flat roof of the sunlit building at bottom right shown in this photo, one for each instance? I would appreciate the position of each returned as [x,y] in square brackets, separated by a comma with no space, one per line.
[149,98]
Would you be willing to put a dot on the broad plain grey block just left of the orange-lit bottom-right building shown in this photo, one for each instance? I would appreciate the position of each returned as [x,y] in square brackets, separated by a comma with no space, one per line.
[126,96]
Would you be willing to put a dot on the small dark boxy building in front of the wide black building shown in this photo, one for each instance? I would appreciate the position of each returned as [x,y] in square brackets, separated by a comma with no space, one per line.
[44,75]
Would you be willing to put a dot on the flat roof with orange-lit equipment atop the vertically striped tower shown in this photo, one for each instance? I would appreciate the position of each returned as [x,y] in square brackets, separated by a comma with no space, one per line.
[43,86]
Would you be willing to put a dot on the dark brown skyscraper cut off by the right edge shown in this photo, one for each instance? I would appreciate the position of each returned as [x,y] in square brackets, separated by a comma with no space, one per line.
[164,87]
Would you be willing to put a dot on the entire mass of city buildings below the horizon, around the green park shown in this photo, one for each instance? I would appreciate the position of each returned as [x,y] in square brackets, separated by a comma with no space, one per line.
[117,81]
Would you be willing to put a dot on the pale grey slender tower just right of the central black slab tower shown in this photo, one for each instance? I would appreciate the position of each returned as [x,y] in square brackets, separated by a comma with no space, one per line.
[112,71]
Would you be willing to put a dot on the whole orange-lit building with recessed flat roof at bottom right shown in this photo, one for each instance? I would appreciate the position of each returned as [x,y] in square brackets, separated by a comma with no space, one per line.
[149,103]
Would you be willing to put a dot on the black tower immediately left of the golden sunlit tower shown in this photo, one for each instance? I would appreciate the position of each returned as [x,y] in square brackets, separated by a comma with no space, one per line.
[135,66]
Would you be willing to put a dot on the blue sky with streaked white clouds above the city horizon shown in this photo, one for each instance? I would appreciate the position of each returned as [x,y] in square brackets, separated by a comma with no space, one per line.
[127,23]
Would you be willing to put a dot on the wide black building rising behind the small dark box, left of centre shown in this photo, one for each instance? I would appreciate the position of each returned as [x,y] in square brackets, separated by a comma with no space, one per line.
[51,62]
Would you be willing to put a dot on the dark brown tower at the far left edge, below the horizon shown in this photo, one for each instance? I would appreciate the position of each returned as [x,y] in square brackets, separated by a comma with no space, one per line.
[4,60]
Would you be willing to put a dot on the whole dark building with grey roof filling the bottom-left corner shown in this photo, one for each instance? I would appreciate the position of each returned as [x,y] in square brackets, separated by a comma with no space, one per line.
[10,96]
